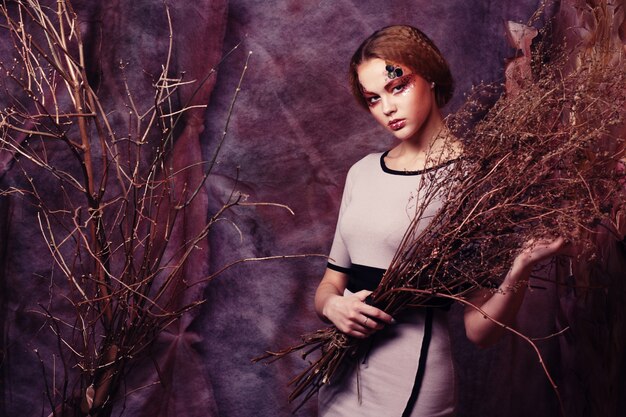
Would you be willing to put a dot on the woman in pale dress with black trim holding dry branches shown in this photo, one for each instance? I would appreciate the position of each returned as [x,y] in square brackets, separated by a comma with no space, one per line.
[400,76]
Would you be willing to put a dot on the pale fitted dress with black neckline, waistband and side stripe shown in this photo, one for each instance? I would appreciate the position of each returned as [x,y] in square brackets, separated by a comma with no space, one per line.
[377,208]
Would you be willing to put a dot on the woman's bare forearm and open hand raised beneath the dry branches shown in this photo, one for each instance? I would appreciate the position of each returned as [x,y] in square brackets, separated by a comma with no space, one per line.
[504,304]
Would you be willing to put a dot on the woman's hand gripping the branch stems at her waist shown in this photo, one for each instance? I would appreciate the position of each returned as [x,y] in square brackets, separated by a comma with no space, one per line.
[353,316]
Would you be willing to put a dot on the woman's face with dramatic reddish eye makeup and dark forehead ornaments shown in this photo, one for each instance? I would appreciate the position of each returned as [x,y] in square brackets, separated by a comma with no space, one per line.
[399,99]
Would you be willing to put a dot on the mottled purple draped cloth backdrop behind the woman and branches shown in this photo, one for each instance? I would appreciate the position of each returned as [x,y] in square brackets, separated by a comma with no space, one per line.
[294,133]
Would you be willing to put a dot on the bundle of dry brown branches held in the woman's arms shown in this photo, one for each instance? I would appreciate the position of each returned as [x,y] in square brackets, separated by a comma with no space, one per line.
[540,163]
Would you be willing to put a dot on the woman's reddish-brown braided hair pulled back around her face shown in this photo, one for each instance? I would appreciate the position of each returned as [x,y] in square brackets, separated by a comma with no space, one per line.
[408,46]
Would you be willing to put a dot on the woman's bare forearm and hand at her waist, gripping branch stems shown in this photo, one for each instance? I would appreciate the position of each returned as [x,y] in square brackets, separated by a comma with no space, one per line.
[349,313]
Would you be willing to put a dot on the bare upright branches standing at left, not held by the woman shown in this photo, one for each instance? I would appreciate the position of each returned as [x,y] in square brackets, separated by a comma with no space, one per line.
[118,202]
